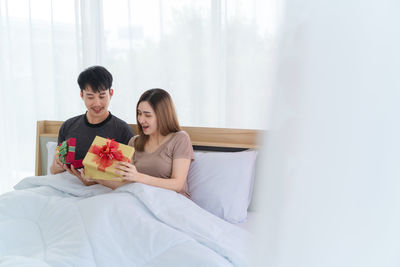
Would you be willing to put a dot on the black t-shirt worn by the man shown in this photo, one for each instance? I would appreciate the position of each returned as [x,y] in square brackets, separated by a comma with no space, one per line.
[79,127]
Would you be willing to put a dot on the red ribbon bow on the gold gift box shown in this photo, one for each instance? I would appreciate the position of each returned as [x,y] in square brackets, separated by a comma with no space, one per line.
[106,154]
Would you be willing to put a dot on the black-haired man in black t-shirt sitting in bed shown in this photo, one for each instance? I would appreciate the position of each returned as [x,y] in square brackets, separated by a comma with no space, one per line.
[95,84]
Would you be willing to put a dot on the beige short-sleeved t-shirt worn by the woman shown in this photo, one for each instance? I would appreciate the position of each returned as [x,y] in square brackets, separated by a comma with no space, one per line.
[159,162]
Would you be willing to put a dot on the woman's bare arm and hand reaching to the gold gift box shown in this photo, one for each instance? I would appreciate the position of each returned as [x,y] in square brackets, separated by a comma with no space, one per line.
[180,169]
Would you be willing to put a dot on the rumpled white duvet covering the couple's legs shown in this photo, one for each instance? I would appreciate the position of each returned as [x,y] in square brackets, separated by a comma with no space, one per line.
[57,221]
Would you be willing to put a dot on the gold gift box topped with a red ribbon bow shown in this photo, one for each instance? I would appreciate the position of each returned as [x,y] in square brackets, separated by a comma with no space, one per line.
[102,157]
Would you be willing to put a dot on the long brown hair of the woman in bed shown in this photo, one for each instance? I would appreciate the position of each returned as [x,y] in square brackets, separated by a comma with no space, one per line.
[167,121]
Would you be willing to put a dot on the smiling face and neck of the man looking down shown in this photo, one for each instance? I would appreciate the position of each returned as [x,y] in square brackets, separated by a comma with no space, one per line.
[96,102]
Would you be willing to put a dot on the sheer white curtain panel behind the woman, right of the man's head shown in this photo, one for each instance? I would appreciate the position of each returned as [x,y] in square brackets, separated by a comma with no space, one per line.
[211,55]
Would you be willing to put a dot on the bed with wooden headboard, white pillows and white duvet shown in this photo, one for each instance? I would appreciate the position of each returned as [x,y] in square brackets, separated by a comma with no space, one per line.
[54,220]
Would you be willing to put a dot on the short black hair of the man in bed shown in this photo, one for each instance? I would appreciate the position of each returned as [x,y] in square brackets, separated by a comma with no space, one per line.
[98,77]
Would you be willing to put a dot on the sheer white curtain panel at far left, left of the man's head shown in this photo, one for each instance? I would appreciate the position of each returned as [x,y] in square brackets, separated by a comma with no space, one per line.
[40,55]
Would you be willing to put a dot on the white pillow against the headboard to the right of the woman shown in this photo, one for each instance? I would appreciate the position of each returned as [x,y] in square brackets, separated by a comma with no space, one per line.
[221,182]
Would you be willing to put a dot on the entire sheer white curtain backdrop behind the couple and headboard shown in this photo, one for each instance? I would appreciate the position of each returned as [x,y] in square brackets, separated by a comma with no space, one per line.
[212,56]
